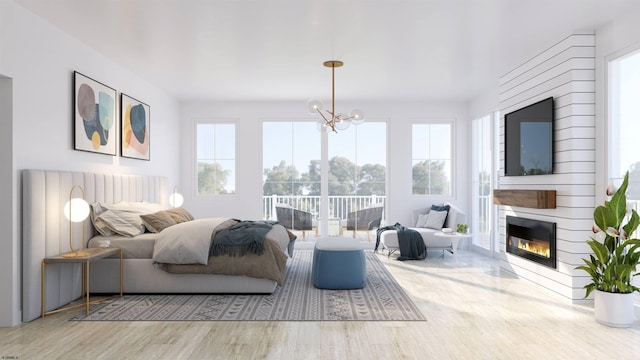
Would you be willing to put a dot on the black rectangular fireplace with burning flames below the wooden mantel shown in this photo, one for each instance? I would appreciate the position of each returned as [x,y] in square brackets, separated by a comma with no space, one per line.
[534,240]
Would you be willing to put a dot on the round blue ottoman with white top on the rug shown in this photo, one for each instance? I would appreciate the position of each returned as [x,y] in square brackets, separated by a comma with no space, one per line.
[338,263]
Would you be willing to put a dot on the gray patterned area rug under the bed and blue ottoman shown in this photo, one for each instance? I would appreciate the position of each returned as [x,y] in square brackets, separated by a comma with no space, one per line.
[381,299]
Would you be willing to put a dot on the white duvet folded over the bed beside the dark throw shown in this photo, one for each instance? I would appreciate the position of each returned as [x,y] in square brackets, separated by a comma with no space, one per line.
[186,243]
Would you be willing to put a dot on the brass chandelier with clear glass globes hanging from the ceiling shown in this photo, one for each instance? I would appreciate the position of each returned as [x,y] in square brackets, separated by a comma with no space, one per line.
[330,119]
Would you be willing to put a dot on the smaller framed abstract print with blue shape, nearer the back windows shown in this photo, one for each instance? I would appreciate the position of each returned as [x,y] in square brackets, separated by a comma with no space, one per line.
[134,128]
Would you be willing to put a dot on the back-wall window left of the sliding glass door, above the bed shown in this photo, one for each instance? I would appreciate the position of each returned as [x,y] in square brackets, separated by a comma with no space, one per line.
[216,158]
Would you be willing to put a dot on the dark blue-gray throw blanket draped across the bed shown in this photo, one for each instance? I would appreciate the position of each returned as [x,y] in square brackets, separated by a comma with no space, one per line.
[241,238]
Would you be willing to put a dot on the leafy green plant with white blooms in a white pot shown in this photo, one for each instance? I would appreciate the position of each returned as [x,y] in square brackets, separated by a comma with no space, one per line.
[615,259]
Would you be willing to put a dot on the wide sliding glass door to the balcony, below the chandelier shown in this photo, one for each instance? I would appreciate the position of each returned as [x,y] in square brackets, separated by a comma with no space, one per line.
[294,180]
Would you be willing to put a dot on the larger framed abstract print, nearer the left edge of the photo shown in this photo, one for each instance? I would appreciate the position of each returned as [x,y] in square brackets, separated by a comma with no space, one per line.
[94,116]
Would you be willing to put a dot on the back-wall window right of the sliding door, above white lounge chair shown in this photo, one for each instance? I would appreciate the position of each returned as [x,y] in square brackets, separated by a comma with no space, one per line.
[431,159]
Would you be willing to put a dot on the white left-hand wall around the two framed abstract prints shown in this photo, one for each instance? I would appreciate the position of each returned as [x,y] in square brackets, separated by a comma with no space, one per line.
[40,60]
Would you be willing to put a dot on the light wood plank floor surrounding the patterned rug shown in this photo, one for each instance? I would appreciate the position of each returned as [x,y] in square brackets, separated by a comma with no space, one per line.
[473,309]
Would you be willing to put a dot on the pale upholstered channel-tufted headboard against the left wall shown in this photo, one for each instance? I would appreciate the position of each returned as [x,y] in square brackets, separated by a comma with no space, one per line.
[45,230]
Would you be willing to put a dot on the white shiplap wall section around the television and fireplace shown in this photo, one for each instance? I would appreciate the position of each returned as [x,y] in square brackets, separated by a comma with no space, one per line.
[565,71]
